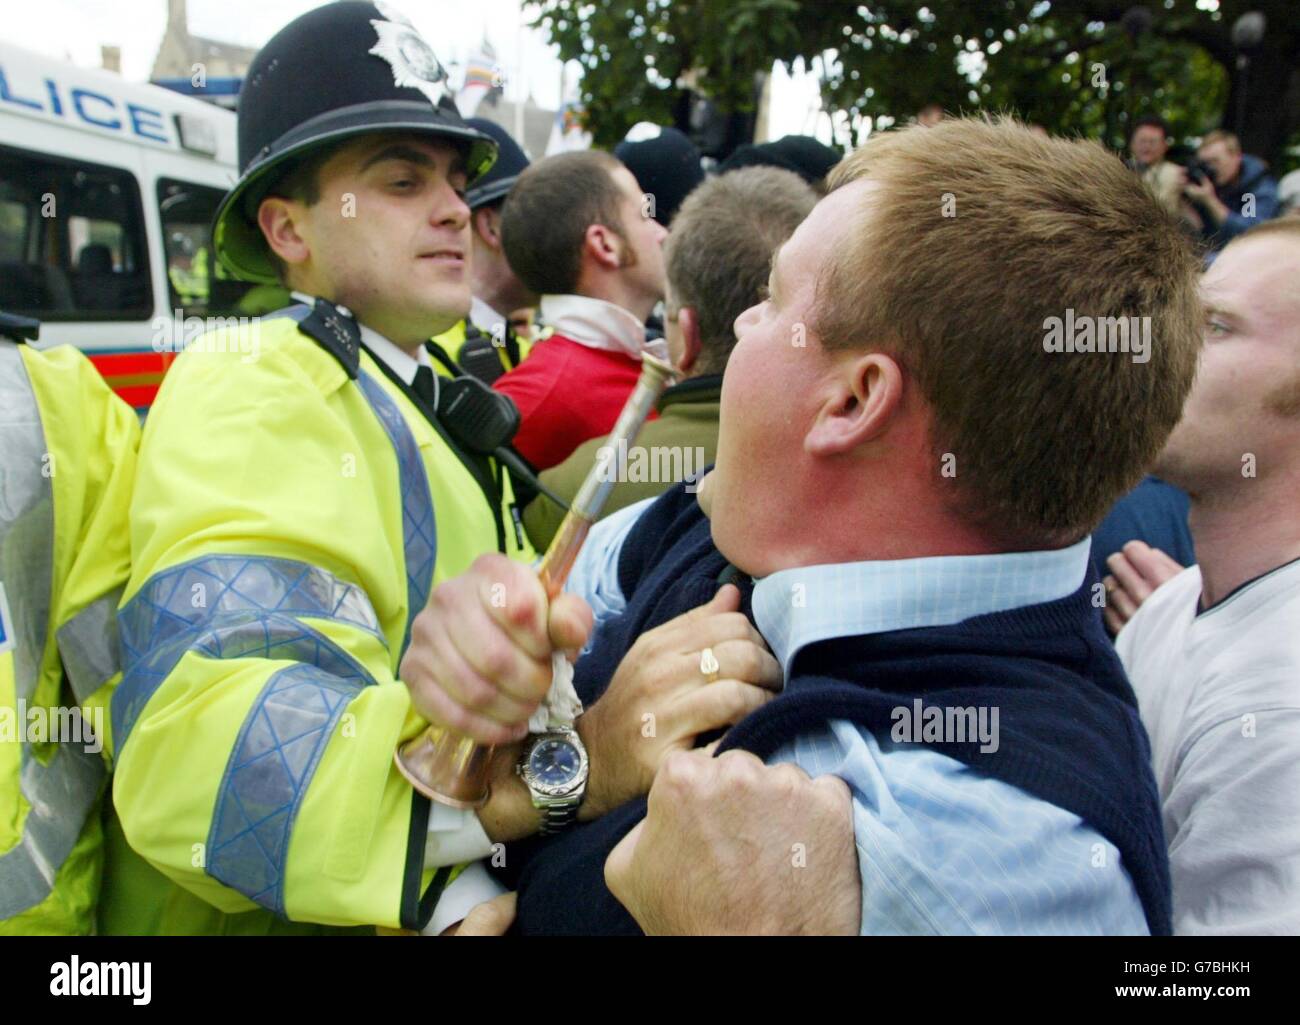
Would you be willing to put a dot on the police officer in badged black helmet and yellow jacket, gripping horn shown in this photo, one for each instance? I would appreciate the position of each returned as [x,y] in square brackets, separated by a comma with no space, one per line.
[300,495]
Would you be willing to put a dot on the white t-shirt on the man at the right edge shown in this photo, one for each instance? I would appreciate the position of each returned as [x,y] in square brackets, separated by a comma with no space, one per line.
[1220,695]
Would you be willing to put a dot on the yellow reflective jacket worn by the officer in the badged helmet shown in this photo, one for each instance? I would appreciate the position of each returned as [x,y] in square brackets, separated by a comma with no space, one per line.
[293,511]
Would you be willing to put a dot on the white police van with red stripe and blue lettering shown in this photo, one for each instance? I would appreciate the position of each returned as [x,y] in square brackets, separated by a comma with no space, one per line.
[107,196]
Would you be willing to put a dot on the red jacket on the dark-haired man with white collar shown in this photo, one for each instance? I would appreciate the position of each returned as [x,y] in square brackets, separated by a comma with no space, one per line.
[567,393]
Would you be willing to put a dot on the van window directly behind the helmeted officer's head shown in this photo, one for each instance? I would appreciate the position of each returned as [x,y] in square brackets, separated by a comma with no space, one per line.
[197,282]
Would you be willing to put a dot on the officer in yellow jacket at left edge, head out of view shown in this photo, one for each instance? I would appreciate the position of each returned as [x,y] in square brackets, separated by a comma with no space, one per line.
[67,459]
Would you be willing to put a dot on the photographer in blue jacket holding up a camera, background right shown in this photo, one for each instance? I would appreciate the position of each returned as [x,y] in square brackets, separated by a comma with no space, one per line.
[1232,192]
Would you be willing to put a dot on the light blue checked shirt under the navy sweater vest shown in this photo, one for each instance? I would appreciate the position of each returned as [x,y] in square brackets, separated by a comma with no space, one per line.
[942,849]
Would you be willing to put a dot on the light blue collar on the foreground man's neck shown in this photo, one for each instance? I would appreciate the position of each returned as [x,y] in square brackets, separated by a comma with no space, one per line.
[796,608]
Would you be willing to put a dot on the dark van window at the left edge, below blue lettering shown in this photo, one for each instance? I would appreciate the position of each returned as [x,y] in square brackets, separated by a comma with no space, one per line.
[72,240]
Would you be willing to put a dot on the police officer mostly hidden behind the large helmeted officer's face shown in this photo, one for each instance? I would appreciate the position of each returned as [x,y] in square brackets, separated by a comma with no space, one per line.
[486,344]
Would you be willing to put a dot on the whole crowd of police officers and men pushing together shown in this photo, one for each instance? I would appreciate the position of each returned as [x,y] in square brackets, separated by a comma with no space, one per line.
[931,629]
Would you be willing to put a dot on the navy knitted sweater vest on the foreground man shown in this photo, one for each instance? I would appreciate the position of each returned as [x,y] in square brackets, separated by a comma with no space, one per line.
[1069,725]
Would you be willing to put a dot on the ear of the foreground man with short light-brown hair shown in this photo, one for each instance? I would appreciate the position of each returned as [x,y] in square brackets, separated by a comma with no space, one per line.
[866,395]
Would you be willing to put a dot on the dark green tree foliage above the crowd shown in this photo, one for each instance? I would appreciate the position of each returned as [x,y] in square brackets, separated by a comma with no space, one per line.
[1087,68]
